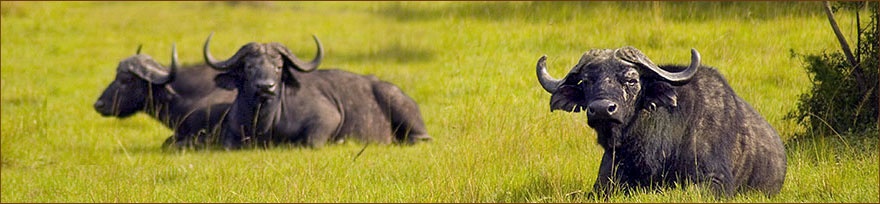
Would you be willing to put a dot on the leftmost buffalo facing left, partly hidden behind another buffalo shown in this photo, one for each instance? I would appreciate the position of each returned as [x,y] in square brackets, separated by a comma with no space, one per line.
[183,100]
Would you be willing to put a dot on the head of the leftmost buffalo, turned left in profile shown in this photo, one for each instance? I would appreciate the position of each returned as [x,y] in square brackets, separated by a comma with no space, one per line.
[130,91]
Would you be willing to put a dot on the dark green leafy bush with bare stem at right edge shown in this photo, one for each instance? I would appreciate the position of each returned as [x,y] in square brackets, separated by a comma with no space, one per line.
[843,98]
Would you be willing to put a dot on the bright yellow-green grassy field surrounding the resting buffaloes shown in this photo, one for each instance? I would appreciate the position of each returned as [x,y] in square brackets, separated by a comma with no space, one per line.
[470,65]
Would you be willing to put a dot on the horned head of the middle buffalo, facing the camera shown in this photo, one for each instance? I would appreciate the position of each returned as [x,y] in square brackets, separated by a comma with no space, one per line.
[257,69]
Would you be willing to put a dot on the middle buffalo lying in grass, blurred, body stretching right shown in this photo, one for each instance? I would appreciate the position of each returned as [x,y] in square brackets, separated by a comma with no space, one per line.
[283,99]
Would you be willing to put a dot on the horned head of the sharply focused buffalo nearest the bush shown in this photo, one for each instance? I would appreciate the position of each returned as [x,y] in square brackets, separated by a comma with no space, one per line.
[612,85]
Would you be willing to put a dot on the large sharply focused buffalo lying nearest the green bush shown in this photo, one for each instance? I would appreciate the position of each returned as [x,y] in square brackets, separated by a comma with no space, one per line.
[665,124]
